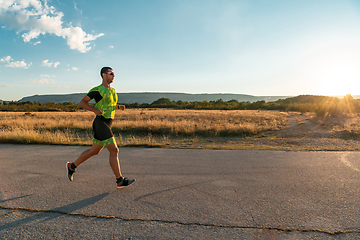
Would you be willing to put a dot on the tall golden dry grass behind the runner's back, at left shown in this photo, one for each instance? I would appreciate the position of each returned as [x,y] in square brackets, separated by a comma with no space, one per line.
[44,127]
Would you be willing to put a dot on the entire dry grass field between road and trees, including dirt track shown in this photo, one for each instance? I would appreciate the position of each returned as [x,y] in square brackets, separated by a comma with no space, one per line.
[218,129]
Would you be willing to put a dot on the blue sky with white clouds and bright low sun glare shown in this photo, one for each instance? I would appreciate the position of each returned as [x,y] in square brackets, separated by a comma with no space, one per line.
[255,47]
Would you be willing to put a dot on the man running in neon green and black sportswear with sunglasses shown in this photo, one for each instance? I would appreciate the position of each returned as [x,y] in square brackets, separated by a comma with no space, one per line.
[105,106]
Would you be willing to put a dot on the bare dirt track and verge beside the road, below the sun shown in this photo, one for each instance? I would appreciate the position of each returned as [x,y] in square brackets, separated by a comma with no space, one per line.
[309,133]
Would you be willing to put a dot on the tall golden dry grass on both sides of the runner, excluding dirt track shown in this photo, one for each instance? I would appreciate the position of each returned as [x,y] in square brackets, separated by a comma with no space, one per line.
[137,125]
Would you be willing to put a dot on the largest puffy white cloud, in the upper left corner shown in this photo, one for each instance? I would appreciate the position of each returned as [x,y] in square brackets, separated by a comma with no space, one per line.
[36,18]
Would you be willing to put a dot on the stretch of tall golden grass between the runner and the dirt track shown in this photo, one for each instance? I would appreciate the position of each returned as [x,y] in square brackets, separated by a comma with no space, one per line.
[207,123]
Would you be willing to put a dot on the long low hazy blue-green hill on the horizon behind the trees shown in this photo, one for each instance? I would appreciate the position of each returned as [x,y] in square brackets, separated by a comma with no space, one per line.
[146,97]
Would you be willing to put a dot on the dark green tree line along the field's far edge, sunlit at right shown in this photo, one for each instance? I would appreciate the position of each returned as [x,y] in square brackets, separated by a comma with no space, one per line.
[321,105]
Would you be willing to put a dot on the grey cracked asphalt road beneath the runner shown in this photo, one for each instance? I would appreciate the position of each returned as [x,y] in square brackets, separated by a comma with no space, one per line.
[179,194]
